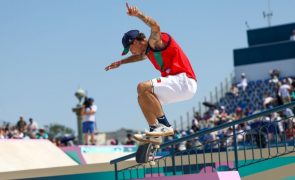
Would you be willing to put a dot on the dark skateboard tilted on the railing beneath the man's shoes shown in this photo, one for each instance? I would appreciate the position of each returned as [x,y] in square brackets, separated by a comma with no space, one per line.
[145,151]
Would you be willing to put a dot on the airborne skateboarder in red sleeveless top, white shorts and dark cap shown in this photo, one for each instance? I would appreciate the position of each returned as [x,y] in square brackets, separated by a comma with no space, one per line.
[177,82]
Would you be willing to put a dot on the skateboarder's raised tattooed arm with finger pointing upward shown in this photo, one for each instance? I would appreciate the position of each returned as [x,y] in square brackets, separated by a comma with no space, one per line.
[155,40]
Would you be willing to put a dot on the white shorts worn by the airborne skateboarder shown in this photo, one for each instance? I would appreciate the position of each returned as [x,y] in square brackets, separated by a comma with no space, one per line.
[174,88]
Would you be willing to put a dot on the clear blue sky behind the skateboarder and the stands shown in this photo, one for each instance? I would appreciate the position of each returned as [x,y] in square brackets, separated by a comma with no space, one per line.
[50,48]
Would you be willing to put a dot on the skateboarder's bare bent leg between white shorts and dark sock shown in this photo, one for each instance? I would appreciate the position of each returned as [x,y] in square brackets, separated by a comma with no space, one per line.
[149,103]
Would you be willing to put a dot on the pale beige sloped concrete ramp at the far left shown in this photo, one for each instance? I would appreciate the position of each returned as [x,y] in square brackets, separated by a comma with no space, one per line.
[19,155]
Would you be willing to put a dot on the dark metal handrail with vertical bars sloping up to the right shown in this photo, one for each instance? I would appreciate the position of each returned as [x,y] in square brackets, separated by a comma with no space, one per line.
[236,149]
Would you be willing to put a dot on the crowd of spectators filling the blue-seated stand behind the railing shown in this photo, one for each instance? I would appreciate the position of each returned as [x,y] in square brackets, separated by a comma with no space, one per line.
[278,126]
